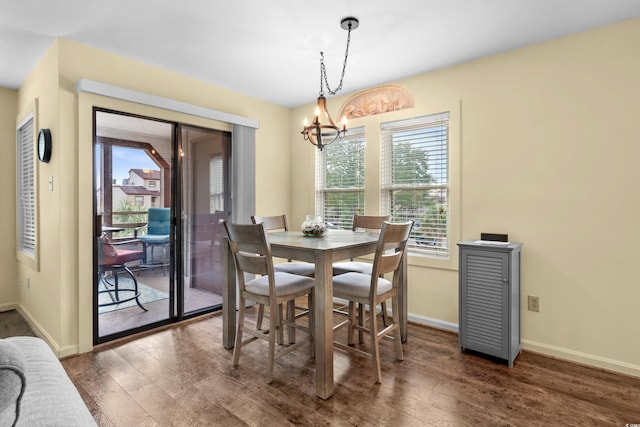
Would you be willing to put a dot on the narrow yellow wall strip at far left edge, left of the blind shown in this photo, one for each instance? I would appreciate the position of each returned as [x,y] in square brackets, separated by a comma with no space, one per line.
[8,114]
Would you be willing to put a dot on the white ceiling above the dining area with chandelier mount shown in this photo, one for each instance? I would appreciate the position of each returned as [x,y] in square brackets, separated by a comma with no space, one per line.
[270,49]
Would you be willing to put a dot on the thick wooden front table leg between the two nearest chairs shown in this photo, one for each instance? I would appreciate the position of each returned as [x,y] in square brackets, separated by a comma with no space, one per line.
[323,312]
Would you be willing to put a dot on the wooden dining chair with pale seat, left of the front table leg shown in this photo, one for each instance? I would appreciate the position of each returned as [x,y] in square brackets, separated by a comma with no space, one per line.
[252,255]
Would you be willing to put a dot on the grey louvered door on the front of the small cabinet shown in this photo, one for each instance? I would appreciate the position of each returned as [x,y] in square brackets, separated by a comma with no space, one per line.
[485,302]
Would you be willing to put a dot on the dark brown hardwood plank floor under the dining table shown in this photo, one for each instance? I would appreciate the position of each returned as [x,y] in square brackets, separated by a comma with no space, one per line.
[182,376]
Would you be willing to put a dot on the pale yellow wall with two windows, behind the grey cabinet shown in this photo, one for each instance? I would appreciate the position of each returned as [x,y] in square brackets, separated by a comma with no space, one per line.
[549,149]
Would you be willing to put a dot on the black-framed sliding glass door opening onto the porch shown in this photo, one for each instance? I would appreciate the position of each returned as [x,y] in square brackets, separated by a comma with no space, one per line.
[161,190]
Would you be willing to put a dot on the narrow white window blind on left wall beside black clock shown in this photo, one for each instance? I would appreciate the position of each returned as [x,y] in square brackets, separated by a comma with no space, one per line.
[26,187]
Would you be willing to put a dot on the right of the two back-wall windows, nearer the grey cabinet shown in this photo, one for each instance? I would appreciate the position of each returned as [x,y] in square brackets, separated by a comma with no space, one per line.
[415,180]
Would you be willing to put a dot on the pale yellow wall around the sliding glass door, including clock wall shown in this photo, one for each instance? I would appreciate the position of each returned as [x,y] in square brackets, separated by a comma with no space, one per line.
[60,297]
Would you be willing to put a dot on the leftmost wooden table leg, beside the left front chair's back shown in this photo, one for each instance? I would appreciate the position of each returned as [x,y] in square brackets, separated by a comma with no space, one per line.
[228,296]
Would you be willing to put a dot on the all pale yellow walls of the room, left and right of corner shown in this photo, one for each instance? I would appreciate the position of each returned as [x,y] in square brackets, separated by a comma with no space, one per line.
[545,147]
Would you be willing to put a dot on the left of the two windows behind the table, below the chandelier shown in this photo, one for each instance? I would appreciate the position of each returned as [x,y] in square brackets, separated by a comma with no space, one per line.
[340,180]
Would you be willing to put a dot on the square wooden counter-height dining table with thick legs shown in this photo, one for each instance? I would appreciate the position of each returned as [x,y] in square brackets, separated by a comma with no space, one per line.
[323,251]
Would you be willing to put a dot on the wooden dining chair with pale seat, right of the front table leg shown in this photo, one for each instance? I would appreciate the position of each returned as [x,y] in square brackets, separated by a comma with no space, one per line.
[372,289]
